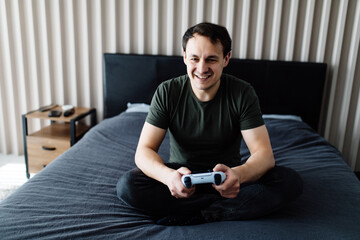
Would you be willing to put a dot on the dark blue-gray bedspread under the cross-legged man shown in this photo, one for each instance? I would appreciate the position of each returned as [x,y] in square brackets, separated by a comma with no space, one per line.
[75,196]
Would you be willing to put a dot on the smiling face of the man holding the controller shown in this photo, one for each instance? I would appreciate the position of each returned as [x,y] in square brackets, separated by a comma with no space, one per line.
[205,62]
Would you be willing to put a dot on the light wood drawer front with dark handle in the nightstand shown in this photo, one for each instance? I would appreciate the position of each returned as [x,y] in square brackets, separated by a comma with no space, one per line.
[41,151]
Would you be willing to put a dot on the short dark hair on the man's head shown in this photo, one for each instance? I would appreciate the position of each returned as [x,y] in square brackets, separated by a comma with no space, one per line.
[214,32]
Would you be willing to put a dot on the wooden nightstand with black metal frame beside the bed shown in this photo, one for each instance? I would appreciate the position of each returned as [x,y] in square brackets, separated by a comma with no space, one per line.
[43,146]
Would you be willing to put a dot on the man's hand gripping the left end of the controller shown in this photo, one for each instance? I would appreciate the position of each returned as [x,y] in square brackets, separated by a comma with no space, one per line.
[175,185]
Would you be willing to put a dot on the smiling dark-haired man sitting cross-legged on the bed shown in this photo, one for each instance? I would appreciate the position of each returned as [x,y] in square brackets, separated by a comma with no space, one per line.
[207,114]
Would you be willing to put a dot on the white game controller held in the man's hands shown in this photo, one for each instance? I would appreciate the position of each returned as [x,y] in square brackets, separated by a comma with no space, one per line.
[200,178]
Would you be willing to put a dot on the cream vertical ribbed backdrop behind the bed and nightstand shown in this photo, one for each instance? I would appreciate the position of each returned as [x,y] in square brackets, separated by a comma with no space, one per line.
[51,51]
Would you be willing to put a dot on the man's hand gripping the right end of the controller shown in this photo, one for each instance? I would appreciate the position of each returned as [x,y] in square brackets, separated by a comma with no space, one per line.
[231,186]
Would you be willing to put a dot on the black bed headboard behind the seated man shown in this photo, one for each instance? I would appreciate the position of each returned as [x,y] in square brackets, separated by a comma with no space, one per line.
[283,87]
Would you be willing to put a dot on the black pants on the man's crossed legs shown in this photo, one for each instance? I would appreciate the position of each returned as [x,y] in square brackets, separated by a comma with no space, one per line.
[277,187]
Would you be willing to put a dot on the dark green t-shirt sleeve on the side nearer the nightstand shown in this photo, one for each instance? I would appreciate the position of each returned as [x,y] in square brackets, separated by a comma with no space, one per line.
[158,113]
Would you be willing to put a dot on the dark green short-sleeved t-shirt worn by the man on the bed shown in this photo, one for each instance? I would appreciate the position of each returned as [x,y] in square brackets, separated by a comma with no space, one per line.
[203,134]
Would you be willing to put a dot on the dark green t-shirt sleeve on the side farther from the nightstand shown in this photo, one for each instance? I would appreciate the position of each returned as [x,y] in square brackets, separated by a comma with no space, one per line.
[251,116]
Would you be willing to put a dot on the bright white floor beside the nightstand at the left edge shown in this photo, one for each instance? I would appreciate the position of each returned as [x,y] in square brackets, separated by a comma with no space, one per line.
[12,174]
